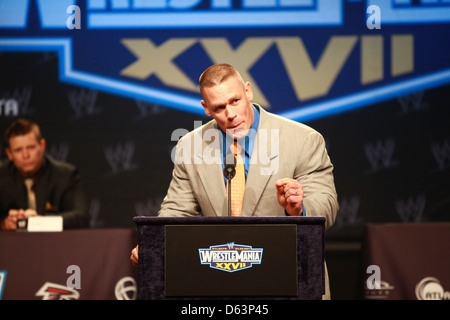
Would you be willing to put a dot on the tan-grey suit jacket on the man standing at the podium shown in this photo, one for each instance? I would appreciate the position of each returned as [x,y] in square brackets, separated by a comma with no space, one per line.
[282,149]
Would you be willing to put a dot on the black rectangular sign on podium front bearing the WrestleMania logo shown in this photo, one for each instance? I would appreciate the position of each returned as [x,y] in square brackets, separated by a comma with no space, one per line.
[231,260]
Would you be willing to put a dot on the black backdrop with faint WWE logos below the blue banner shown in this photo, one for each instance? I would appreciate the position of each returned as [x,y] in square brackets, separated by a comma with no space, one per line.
[391,159]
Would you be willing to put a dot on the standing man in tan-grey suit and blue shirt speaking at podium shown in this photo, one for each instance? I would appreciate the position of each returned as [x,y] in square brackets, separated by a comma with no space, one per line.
[288,170]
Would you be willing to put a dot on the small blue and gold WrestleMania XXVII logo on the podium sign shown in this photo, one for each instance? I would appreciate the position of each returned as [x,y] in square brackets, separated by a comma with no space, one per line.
[230,257]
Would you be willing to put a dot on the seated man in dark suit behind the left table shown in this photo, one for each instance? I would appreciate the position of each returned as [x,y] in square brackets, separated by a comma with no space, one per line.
[55,187]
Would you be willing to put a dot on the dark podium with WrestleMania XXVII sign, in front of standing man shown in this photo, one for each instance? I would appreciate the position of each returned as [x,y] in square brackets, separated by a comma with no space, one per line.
[231,258]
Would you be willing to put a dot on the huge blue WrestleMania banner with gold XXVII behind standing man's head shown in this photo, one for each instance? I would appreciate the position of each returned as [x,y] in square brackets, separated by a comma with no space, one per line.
[306,59]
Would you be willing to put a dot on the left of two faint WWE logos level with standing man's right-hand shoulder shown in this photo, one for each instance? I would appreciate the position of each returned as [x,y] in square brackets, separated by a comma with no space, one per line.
[380,154]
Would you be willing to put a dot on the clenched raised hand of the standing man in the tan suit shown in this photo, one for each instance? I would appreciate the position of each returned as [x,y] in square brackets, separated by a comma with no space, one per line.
[290,196]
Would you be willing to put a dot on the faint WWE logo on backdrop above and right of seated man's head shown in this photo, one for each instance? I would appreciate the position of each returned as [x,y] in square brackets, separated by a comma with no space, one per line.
[83,102]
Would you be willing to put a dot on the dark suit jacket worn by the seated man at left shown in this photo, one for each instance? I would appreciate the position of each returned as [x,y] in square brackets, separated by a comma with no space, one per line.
[58,191]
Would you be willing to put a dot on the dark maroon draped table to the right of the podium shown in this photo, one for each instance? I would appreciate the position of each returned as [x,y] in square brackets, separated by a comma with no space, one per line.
[413,261]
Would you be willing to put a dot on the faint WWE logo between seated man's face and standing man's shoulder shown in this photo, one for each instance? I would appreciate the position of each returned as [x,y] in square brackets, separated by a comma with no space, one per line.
[120,157]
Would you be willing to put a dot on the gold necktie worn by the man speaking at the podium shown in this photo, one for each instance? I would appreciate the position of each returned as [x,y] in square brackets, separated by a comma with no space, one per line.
[238,182]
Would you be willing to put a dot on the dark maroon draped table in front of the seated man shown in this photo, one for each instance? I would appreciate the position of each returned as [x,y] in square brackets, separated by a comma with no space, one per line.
[84,264]
